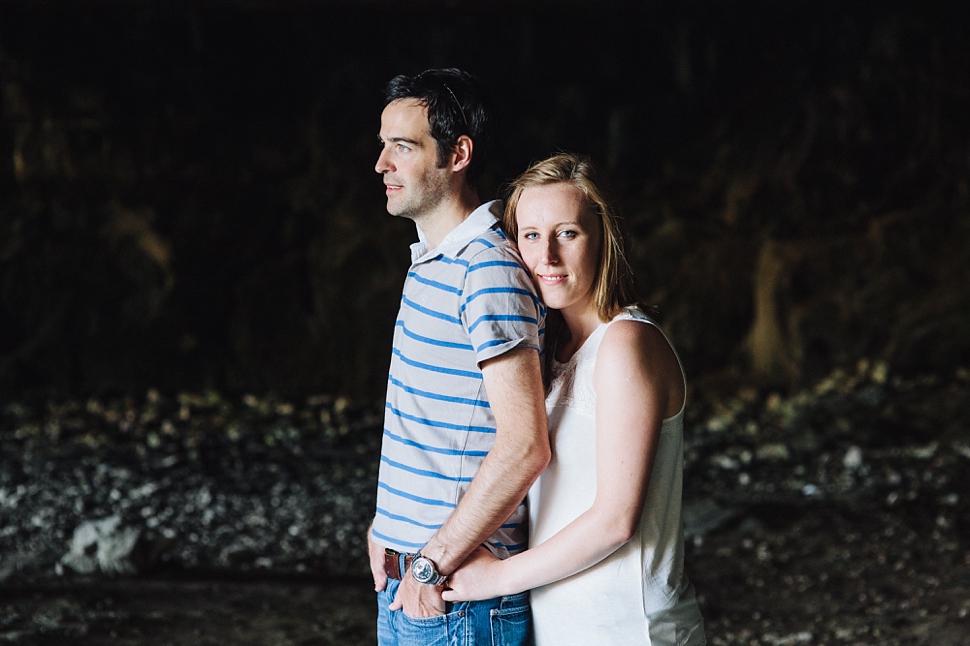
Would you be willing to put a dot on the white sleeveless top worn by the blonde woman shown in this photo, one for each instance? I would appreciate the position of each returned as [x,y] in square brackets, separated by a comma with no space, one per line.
[639,594]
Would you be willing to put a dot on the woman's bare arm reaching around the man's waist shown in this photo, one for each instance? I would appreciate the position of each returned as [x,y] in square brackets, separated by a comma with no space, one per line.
[638,383]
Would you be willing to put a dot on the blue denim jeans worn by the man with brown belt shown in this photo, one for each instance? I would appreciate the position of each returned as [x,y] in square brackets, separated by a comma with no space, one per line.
[506,621]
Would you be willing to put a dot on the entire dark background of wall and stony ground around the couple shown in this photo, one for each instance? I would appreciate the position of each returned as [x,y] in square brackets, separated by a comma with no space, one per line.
[198,283]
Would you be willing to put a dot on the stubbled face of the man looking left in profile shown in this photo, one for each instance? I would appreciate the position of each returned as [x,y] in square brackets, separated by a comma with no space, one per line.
[414,183]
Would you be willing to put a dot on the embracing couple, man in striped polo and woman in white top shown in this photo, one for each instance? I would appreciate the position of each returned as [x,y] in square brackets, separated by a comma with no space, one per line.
[521,365]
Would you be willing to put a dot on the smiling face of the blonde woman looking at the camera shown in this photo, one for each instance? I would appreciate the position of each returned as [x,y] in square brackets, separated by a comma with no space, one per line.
[560,240]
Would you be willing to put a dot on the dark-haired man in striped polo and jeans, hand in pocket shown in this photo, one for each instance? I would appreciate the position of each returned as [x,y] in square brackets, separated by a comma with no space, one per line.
[465,430]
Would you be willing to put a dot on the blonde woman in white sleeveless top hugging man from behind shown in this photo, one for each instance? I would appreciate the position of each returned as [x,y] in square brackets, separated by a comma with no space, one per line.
[605,563]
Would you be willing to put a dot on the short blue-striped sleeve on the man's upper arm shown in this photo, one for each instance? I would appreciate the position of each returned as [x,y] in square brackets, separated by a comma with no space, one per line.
[499,306]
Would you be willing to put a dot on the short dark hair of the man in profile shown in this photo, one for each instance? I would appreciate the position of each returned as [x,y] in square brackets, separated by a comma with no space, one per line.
[456,106]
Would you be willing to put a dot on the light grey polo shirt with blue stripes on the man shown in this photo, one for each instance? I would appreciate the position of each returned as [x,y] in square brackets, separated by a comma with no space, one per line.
[464,302]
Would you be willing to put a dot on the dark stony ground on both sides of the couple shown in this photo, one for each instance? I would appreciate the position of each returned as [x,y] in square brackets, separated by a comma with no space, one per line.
[836,515]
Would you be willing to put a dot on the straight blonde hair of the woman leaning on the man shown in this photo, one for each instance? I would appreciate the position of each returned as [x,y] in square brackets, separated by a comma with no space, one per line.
[613,288]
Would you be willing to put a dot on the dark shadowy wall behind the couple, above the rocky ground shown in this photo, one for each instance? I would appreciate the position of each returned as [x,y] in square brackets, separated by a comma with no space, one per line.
[187,194]
